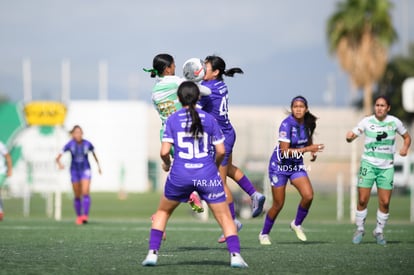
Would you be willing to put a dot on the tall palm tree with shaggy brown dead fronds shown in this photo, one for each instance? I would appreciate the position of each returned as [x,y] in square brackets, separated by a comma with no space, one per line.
[360,33]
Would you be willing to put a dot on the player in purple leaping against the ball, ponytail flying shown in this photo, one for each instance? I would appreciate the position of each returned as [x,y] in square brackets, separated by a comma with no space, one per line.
[217,105]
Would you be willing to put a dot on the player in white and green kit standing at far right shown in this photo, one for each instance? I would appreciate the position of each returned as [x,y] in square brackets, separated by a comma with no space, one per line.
[377,164]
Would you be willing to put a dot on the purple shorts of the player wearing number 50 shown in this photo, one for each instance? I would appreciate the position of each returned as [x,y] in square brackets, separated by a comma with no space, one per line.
[209,187]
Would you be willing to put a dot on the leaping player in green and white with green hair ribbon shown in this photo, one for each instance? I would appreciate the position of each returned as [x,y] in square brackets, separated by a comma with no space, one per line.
[165,100]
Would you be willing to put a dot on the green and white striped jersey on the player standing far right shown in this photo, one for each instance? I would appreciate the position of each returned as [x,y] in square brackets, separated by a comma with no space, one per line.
[379,145]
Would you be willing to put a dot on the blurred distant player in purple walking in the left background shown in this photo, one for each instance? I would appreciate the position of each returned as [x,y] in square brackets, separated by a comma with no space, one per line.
[80,172]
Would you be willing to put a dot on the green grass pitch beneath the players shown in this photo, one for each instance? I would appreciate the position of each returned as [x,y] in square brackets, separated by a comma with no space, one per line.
[116,240]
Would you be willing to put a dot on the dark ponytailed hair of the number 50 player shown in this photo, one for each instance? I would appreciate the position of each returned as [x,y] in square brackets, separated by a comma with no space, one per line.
[188,94]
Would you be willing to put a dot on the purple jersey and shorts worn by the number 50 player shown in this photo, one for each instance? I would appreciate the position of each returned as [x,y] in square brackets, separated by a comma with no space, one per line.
[194,167]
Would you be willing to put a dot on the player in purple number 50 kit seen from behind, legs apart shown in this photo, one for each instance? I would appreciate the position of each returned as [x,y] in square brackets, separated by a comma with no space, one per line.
[193,133]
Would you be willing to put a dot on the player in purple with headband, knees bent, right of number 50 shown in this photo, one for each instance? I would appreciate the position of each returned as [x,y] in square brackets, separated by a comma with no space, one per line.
[286,163]
